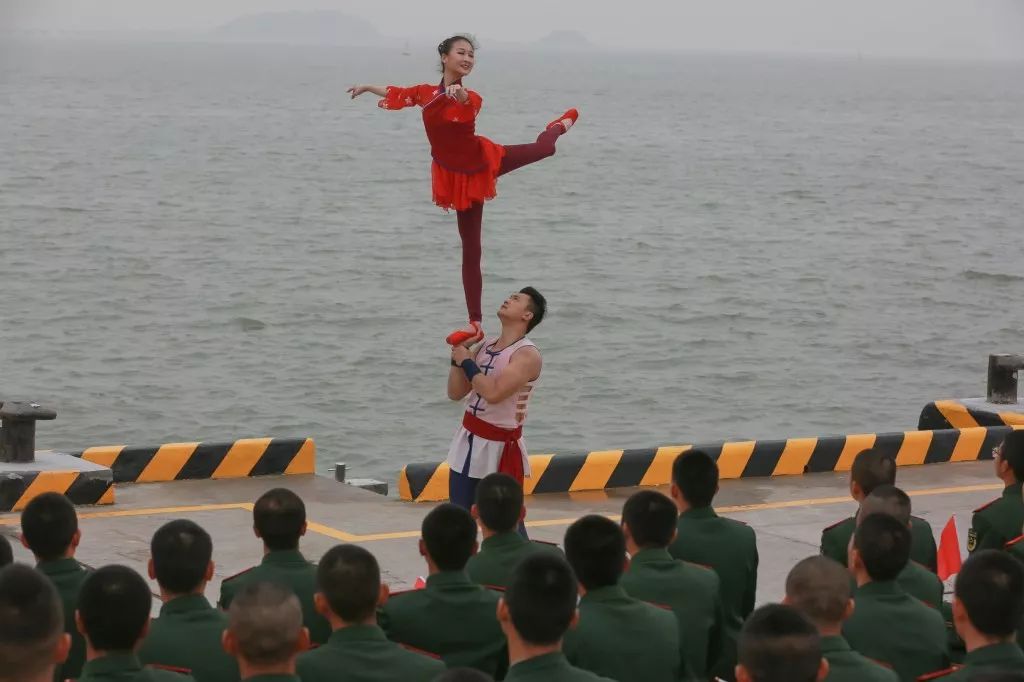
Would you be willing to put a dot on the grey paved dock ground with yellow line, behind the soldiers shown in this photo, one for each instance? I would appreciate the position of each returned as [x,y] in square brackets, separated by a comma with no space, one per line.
[787,513]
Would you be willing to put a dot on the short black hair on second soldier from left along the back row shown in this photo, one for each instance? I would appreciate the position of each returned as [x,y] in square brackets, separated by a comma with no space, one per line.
[182,551]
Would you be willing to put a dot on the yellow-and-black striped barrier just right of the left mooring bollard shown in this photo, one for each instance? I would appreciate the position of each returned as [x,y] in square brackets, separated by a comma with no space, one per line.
[182,461]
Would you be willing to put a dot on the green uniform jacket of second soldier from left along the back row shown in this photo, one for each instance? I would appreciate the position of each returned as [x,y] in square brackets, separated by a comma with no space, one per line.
[188,635]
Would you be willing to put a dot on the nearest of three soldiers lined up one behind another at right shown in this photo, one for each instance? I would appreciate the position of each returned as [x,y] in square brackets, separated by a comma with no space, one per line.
[888,625]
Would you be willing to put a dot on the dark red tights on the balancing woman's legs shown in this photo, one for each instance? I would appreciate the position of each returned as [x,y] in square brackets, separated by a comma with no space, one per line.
[472,221]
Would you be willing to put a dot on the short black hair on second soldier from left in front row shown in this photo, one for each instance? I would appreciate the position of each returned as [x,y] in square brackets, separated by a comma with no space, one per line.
[114,604]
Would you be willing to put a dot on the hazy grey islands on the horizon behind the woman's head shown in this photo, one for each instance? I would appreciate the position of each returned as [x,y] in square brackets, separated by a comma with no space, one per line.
[334,28]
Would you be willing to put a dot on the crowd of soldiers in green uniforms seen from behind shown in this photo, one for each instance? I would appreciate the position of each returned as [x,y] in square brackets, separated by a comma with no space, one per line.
[667,594]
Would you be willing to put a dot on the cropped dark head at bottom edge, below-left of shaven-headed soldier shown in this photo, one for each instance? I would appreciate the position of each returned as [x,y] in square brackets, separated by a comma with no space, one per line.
[780,645]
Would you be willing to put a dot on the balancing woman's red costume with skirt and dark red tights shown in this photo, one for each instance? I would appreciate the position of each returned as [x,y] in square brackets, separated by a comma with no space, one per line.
[466,166]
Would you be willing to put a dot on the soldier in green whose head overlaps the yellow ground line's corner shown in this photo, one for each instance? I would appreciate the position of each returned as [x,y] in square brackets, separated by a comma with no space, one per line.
[280,520]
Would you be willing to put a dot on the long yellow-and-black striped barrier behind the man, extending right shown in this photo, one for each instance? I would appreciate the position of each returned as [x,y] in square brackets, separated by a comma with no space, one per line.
[653,466]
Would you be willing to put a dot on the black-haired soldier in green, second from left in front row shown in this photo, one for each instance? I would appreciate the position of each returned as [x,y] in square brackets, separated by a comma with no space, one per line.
[113,615]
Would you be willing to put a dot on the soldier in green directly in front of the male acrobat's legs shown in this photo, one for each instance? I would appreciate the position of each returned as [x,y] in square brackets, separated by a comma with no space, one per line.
[499,510]
